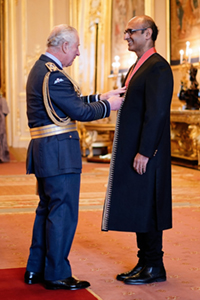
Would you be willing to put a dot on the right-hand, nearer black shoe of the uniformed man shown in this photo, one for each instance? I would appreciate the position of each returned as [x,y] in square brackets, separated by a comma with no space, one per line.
[69,283]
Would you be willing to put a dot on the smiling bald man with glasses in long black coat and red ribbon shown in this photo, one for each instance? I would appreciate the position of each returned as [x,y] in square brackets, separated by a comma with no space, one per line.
[139,190]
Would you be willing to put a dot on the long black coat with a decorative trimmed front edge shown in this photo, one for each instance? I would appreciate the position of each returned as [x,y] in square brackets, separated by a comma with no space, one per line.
[143,126]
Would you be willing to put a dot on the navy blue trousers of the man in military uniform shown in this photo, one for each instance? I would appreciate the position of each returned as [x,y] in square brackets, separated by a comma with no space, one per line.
[54,226]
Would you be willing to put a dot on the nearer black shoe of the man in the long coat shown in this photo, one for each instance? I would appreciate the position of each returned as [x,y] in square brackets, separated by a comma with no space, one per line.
[148,275]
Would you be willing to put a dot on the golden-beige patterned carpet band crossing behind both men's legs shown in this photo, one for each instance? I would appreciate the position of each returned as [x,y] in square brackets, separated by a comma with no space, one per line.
[17,193]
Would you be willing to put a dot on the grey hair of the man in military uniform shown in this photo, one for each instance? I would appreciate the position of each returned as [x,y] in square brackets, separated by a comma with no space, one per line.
[60,34]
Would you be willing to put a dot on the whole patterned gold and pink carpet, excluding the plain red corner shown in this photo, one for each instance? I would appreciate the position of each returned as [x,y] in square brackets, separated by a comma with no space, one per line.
[98,256]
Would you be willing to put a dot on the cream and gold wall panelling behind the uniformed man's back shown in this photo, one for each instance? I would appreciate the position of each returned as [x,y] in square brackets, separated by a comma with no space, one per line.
[28,23]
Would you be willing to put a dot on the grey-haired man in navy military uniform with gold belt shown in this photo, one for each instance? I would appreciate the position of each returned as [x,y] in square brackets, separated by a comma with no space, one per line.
[54,156]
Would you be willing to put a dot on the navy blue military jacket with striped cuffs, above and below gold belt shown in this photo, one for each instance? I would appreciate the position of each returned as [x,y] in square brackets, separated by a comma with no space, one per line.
[58,154]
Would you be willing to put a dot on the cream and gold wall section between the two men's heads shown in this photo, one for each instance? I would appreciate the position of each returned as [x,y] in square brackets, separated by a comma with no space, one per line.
[95,36]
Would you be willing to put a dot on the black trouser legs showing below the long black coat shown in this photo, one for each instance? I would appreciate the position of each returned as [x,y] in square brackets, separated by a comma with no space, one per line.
[150,248]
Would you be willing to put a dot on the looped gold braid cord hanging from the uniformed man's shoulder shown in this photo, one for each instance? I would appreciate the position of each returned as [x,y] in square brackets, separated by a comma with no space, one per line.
[47,99]
